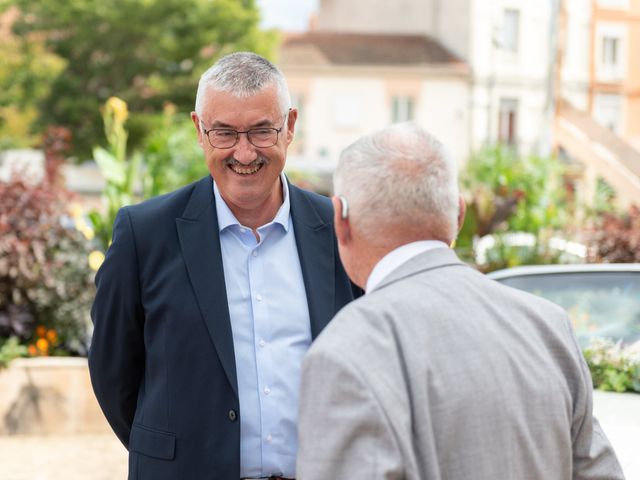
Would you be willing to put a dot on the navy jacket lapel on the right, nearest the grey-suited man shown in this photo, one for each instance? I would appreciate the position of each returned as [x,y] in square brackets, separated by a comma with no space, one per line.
[314,240]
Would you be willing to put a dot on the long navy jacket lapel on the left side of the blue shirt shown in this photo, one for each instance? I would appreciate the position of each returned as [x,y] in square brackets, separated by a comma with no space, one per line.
[200,244]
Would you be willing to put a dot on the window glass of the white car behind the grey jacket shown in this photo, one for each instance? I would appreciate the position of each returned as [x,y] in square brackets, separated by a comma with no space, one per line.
[600,304]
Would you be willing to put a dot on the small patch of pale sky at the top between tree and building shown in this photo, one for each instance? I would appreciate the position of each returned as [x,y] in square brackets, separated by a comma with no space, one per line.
[287,15]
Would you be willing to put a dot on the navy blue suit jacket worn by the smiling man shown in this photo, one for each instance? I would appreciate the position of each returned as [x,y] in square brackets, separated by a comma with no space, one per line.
[161,360]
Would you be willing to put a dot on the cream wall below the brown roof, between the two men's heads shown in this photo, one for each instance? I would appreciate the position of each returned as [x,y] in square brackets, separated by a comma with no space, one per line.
[340,105]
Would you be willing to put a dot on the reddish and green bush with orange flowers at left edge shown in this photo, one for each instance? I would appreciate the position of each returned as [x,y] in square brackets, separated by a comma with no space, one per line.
[45,278]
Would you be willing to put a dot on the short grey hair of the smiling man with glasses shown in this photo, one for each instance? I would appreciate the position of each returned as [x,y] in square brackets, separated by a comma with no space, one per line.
[243,74]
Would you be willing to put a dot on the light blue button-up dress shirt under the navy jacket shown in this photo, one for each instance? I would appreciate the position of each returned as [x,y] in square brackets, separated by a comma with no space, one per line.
[271,333]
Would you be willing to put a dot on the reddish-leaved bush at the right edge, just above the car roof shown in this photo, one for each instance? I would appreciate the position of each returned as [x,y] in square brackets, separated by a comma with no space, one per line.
[615,238]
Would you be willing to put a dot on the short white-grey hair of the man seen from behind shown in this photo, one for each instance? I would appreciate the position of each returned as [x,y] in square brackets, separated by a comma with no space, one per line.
[399,176]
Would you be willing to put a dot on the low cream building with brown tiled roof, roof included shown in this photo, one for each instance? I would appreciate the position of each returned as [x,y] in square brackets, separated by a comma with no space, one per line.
[349,84]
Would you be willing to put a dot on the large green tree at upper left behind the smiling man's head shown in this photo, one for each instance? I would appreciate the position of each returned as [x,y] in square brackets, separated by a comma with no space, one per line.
[147,52]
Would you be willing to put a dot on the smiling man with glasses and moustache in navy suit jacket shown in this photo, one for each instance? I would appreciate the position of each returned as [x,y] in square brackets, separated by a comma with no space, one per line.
[210,296]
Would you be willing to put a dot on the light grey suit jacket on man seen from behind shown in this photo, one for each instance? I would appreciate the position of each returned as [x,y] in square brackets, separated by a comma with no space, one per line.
[441,373]
